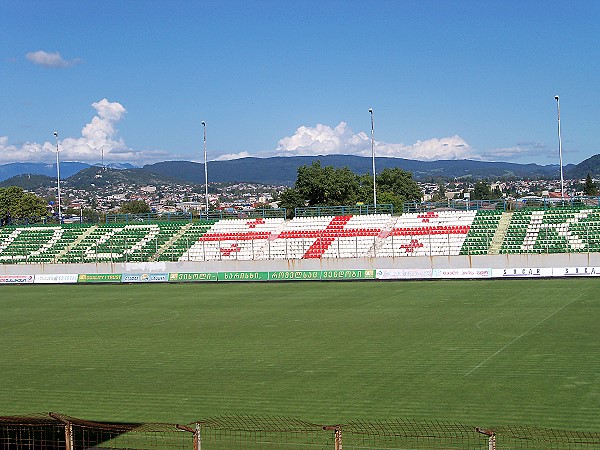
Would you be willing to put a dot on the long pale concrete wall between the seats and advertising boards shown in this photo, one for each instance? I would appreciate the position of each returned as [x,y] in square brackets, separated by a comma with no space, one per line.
[409,262]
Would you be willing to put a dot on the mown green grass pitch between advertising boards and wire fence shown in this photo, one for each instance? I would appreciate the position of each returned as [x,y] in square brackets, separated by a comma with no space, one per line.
[475,352]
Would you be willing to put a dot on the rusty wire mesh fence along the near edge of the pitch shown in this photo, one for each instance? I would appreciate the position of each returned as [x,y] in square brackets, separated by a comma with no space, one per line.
[56,431]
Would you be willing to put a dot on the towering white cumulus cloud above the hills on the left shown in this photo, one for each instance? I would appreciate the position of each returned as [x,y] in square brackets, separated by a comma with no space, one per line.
[100,135]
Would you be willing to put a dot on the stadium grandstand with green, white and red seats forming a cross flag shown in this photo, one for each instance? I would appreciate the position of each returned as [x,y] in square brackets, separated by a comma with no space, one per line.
[537,230]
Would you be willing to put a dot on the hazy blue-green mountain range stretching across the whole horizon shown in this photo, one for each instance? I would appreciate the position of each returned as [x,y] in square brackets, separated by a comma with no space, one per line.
[283,170]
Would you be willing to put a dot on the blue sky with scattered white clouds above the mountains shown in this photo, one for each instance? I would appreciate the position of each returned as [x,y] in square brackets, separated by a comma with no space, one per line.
[446,79]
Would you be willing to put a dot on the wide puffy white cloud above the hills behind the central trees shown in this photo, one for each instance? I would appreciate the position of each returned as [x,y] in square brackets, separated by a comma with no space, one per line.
[322,139]
